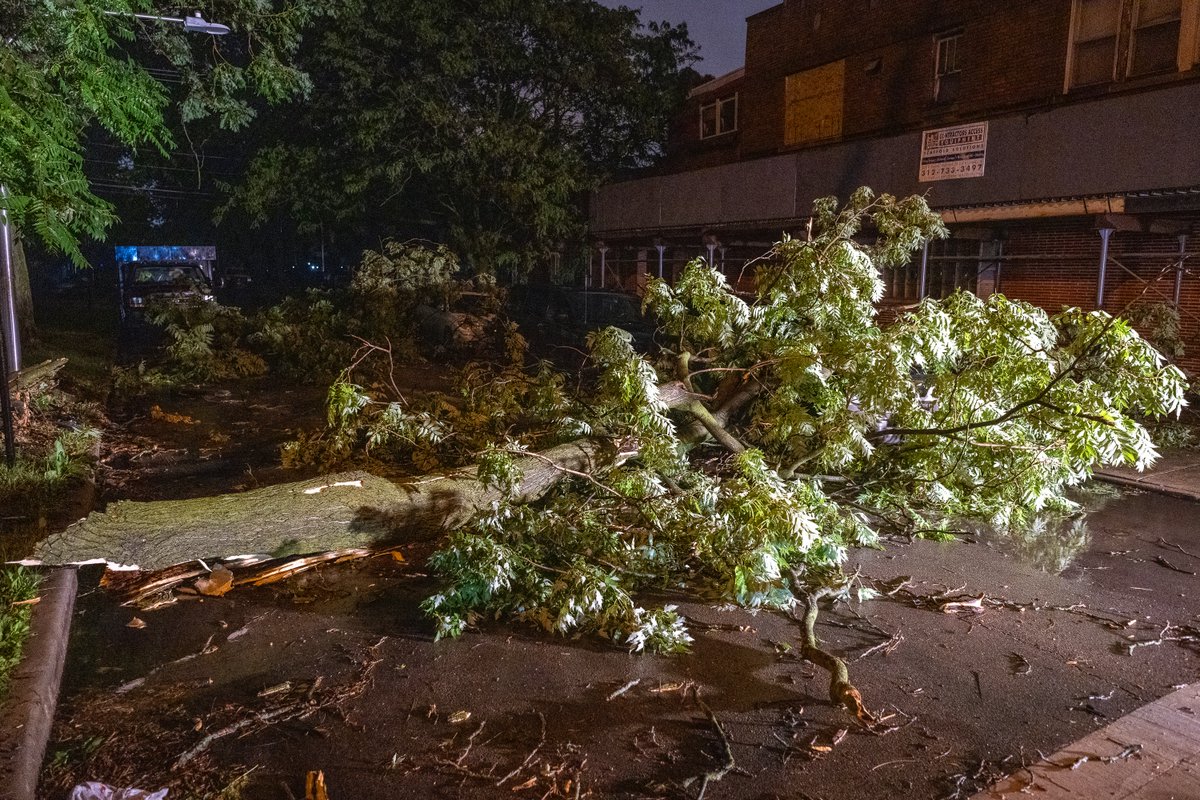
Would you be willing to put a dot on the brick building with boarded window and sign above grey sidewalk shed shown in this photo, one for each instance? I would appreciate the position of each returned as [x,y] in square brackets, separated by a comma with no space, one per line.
[1059,140]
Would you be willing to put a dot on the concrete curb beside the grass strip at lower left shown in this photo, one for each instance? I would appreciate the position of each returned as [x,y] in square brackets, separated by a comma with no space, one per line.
[28,712]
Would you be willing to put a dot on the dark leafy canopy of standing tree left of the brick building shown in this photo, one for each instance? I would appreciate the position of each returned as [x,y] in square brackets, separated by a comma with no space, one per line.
[482,124]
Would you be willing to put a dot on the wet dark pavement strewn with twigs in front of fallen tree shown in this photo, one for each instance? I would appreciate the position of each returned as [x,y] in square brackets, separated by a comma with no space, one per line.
[1028,663]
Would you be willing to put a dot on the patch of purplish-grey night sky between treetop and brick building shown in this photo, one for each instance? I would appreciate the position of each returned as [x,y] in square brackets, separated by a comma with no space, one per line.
[719,27]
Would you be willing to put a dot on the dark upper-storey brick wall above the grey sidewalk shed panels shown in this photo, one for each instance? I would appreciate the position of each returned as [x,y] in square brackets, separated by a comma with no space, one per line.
[1012,56]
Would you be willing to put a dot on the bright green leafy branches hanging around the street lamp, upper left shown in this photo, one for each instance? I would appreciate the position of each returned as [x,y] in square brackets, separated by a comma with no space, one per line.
[70,67]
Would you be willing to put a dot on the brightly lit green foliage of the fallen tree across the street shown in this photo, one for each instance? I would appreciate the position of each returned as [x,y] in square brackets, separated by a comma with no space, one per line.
[775,432]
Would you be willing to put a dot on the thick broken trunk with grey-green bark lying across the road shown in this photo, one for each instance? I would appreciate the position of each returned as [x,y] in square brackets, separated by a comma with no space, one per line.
[333,513]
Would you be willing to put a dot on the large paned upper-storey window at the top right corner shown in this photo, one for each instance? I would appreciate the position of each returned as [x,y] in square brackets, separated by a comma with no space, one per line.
[1119,39]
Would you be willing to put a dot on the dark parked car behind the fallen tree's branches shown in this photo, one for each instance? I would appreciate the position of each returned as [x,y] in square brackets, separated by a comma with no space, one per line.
[565,316]
